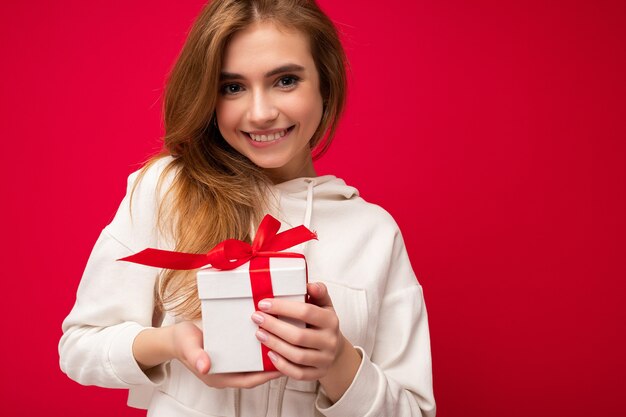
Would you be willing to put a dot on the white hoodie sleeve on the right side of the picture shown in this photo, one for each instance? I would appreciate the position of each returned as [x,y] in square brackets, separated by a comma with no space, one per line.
[396,380]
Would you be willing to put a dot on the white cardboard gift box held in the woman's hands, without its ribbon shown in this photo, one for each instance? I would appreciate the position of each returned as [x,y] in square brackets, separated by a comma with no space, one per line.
[227,307]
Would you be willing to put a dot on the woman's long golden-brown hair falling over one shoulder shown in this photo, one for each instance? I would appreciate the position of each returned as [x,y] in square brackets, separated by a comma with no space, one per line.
[218,193]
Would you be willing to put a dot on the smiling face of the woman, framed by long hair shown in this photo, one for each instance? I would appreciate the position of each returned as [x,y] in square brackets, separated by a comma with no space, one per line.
[270,103]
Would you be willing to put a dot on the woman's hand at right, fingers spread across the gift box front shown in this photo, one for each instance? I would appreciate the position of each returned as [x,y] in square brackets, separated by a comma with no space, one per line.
[309,353]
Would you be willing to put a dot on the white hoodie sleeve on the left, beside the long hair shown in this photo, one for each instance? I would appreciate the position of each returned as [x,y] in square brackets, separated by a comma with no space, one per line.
[114,302]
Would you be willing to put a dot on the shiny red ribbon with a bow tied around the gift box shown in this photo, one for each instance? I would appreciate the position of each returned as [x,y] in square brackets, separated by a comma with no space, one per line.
[231,253]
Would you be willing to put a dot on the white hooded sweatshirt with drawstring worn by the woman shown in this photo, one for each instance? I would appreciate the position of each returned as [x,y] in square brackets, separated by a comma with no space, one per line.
[360,256]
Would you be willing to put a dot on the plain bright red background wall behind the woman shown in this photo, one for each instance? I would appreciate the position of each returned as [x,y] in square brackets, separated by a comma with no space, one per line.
[493,131]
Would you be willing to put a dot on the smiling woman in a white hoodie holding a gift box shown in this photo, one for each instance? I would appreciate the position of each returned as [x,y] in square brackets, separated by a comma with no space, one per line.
[258,88]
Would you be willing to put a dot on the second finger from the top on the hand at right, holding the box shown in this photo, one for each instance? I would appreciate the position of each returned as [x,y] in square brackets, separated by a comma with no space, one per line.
[298,336]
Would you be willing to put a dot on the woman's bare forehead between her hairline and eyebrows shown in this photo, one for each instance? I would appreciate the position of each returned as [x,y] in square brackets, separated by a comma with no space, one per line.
[263,46]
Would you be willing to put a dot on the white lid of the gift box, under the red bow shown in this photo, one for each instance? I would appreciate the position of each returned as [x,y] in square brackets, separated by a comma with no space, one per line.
[288,278]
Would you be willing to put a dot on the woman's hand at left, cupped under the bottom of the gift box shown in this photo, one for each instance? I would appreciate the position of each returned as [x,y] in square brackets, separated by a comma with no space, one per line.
[187,341]
